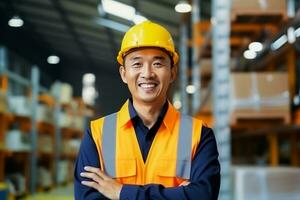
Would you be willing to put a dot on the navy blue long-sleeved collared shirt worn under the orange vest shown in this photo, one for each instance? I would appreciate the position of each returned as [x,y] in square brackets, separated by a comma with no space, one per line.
[205,169]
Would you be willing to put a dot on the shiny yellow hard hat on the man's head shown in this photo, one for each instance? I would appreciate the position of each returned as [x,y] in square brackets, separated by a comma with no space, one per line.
[147,34]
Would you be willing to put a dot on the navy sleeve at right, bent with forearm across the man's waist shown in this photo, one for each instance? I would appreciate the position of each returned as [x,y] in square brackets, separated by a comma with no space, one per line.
[204,182]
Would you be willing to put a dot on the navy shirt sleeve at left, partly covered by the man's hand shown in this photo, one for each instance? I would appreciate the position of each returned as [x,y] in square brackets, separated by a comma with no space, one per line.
[87,155]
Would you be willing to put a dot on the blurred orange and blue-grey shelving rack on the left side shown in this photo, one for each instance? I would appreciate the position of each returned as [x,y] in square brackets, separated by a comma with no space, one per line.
[29,160]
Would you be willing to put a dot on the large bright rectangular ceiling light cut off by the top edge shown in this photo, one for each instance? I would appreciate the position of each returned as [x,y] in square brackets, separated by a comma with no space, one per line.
[118,9]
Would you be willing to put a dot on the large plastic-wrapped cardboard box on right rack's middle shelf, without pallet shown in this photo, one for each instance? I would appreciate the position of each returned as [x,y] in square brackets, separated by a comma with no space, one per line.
[260,91]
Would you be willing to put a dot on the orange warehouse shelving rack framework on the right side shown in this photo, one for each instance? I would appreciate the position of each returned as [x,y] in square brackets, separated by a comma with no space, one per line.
[245,28]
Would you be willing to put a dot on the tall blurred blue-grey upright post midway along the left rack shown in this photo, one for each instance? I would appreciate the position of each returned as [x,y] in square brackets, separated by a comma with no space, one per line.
[35,76]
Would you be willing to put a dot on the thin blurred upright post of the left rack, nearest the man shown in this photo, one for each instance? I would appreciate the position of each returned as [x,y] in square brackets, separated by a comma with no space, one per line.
[57,142]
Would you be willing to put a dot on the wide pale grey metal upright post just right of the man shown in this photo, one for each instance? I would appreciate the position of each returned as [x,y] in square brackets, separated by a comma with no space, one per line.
[221,23]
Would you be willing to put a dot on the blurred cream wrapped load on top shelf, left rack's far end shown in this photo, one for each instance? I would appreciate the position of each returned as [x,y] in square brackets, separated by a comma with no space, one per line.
[64,90]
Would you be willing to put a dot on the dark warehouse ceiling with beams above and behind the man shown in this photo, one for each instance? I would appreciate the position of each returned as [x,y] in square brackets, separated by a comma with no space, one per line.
[78,33]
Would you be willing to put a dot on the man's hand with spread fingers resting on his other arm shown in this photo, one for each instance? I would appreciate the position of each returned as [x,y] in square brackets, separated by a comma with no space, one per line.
[101,182]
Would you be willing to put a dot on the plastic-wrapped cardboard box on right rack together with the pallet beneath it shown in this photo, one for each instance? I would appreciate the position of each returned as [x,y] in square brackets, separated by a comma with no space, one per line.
[260,95]
